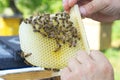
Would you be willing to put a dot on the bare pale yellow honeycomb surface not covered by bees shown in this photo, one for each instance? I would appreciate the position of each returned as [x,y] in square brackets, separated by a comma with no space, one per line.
[42,48]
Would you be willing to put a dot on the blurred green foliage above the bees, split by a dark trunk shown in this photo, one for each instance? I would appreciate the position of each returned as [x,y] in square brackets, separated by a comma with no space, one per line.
[29,7]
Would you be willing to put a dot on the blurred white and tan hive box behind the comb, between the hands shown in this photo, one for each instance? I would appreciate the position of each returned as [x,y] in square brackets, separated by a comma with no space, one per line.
[98,34]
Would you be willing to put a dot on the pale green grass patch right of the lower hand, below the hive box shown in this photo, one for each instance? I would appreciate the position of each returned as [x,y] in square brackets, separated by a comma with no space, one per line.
[113,54]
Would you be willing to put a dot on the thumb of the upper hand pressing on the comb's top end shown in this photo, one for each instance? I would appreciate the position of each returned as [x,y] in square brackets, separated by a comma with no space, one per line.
[93,7]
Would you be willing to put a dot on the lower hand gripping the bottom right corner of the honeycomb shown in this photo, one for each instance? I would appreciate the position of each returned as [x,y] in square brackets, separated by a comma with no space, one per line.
[88,67]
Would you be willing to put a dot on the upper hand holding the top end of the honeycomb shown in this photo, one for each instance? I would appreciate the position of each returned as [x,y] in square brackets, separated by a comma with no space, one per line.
[100,10]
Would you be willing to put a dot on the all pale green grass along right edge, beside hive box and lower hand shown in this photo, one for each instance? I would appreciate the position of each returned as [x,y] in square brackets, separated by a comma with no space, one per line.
[113,54]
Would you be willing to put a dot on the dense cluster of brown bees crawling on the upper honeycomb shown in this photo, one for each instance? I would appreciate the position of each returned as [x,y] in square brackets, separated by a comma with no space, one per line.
[57,27]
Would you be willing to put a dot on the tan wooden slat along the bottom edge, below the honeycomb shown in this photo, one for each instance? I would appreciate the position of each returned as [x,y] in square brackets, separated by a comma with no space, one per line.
[38,75]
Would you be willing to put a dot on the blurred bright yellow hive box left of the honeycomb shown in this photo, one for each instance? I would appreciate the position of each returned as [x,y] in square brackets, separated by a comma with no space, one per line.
[9,25]
